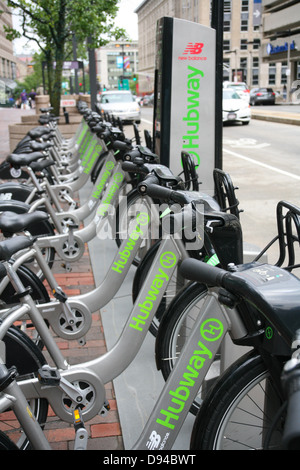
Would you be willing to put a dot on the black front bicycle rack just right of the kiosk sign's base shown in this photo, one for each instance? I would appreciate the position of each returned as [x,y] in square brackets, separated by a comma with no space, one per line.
[225,193]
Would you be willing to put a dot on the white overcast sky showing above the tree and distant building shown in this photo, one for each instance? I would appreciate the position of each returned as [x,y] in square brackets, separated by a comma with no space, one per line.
[126,19]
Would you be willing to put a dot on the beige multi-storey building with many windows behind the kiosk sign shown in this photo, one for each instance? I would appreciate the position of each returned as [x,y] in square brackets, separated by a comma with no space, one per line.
[243,56]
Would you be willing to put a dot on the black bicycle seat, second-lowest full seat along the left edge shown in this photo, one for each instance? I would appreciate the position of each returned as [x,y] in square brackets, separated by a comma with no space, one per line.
[11,223]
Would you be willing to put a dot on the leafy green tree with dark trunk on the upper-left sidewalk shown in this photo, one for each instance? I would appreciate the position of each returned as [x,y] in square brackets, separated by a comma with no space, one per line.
[52,24]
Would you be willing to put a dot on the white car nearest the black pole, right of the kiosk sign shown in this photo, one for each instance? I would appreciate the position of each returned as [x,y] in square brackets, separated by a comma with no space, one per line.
[235,109]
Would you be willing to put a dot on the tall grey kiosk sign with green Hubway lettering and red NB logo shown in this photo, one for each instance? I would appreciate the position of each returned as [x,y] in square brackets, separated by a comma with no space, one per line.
[185,110]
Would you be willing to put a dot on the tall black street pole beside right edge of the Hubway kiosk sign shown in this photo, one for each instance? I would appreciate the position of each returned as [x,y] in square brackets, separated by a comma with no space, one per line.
[217,24]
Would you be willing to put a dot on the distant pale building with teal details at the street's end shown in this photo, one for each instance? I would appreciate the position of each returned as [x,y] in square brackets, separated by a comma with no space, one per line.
[117,65]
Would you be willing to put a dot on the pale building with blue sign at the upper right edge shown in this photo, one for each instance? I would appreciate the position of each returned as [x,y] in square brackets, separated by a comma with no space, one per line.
[281,42]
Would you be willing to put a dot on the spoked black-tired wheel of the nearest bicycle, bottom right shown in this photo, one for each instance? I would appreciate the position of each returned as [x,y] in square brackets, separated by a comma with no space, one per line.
[232,417]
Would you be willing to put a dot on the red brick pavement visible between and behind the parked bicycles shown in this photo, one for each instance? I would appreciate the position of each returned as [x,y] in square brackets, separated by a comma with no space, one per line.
[104,432]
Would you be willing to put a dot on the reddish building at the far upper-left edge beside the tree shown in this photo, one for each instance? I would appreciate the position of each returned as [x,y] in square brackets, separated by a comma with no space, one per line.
[8,68]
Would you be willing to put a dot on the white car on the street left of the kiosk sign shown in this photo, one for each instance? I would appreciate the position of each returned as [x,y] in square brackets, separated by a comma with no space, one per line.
[121,104]
